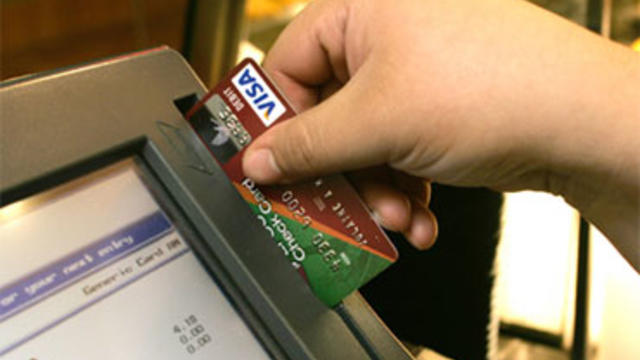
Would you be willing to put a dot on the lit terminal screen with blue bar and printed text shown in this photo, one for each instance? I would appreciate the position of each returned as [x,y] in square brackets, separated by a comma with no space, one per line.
[94,269]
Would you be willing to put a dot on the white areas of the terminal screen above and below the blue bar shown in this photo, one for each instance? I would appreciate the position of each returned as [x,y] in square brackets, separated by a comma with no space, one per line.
[142,319]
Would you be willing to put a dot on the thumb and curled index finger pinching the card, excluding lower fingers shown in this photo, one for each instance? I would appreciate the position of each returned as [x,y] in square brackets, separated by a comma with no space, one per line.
[309,64]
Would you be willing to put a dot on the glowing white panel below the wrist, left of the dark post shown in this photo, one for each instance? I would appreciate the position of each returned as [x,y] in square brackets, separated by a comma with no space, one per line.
[537,262]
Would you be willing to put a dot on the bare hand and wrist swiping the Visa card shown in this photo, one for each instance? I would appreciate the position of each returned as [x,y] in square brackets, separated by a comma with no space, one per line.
[471,93]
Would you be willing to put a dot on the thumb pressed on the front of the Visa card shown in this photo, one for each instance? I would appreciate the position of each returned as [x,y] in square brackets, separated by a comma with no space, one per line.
[340,134]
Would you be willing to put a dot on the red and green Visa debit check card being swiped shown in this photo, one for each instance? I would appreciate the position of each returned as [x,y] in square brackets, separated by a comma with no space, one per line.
[322,226]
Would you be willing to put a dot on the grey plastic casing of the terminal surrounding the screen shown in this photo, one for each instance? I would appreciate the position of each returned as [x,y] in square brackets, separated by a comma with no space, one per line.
[61,125]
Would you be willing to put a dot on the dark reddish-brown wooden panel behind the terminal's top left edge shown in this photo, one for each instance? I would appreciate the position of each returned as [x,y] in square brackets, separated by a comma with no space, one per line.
[39,35]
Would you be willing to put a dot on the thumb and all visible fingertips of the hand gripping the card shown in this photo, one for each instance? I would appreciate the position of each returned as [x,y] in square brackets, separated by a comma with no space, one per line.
[343,133]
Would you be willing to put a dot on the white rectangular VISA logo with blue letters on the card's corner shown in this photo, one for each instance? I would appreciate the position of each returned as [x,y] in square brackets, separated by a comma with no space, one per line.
[258,95]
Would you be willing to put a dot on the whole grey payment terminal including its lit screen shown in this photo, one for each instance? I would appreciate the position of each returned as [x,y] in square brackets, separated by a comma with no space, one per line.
[121,237]
